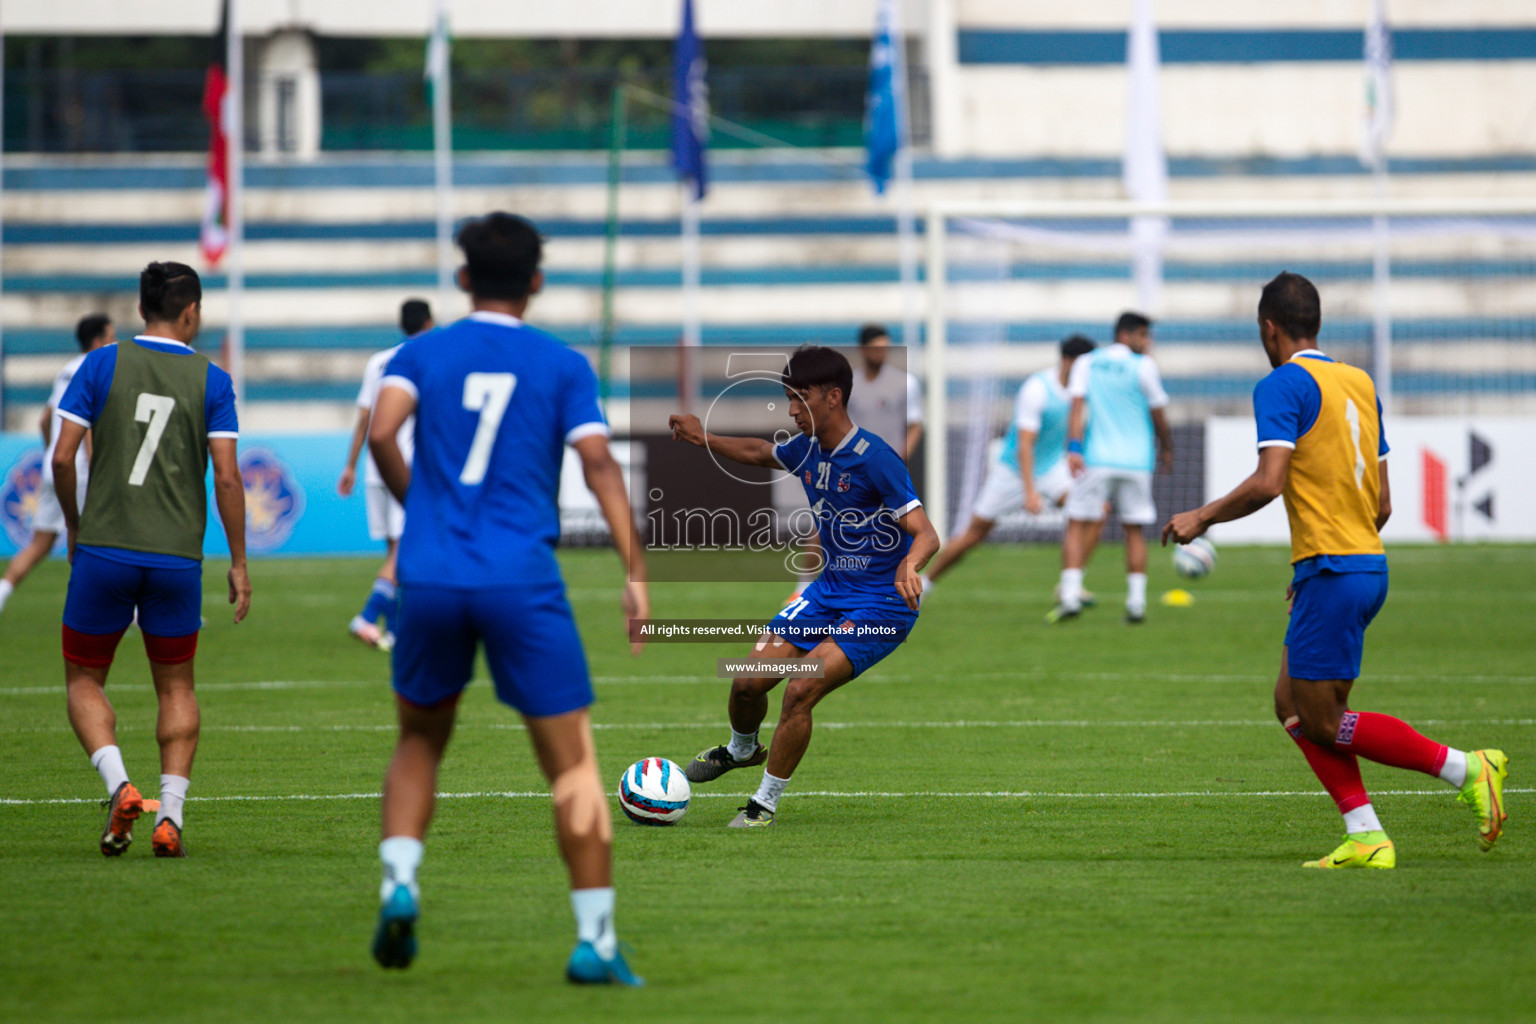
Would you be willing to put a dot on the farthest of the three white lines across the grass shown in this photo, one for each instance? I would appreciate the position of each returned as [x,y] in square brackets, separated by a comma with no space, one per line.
[710,679]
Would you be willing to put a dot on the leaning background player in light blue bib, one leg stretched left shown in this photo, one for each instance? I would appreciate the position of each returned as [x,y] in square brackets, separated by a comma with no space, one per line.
[1030,467]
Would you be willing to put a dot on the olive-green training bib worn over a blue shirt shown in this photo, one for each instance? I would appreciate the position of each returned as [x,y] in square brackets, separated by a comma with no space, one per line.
[150,457]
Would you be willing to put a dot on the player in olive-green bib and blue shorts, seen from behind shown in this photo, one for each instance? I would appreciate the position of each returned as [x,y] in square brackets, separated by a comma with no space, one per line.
[157,415]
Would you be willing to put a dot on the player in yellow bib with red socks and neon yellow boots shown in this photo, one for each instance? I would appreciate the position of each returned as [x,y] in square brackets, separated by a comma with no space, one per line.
[1323,448]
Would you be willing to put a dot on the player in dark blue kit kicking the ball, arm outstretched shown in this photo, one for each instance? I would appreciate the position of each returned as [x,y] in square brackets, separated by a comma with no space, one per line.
[876,538]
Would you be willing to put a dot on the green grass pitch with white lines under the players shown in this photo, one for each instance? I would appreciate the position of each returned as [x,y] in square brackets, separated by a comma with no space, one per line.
[1113,827]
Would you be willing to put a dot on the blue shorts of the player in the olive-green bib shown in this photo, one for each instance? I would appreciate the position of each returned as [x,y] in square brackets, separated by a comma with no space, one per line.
[105,592]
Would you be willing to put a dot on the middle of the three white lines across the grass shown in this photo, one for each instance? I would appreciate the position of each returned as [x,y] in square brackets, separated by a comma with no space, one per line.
[767,727]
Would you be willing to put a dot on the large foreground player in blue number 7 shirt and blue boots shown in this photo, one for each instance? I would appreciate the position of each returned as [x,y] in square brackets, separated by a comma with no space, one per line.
[497,403]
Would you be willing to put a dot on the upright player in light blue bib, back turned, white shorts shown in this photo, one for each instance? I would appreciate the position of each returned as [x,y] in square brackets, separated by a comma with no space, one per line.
[1117,411]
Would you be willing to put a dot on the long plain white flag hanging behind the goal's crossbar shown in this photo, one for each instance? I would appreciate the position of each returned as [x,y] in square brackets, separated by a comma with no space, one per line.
[1145,165]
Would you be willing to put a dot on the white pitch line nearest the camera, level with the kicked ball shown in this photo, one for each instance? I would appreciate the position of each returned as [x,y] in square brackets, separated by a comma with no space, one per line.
[858,794]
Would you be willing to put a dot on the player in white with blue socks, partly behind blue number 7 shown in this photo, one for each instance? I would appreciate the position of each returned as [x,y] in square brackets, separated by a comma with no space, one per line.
[386,515]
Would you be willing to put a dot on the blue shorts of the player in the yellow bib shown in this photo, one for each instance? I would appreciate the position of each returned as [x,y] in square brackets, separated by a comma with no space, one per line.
[1328,623]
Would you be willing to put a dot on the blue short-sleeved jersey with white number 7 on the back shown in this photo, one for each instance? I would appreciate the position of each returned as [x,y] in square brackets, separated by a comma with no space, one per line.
[497,403]
